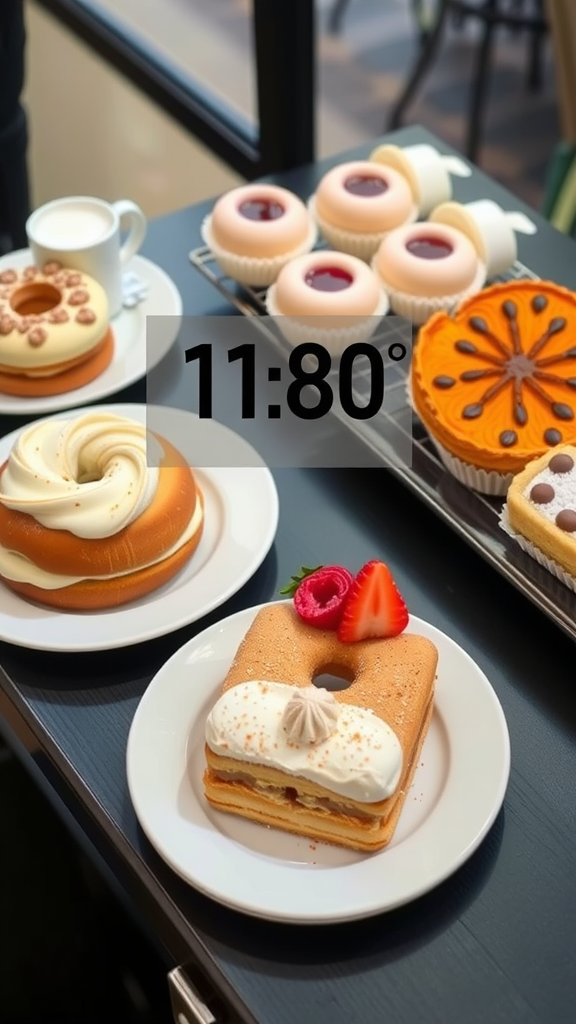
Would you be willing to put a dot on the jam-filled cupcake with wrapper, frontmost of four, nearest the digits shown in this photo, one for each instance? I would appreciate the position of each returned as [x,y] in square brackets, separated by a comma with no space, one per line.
[327,297]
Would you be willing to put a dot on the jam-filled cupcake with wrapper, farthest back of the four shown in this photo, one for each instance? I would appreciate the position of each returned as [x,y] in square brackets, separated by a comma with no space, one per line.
[356,204]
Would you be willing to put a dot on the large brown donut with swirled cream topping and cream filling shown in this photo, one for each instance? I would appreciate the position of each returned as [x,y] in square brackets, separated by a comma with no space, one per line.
[85,523]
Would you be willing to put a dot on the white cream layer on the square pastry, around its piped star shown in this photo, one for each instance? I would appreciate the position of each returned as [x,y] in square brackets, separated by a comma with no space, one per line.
[361,760]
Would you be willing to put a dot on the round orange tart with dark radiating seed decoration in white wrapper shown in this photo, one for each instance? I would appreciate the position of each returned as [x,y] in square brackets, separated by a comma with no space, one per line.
[496,385]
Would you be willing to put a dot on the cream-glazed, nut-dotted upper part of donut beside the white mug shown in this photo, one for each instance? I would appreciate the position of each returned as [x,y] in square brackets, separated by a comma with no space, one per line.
[50,317]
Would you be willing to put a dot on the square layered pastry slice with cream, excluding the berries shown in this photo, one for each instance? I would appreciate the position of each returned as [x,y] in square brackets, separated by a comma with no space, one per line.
[332,766]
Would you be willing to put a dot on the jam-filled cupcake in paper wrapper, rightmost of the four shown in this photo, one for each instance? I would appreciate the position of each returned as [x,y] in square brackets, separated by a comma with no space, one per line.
[427,268]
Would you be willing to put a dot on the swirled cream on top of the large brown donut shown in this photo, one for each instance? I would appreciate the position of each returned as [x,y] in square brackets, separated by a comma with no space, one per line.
[88,476]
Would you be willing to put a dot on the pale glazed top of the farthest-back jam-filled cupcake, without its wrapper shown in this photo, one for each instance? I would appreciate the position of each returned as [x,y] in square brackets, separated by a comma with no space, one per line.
[365,198]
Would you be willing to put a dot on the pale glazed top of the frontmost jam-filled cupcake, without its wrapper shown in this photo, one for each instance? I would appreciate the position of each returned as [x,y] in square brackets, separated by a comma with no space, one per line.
[352,289]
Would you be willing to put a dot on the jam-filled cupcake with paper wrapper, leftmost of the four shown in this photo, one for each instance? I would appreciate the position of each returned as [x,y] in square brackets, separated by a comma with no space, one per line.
[255,230]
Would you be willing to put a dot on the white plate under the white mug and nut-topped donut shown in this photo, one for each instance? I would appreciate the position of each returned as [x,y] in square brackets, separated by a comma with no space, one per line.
[130,361]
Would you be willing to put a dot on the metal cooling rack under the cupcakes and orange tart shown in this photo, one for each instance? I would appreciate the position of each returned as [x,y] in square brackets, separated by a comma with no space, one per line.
[474,517]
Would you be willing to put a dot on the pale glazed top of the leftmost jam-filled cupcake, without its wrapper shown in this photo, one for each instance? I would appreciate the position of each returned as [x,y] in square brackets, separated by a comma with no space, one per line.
[274,223]
